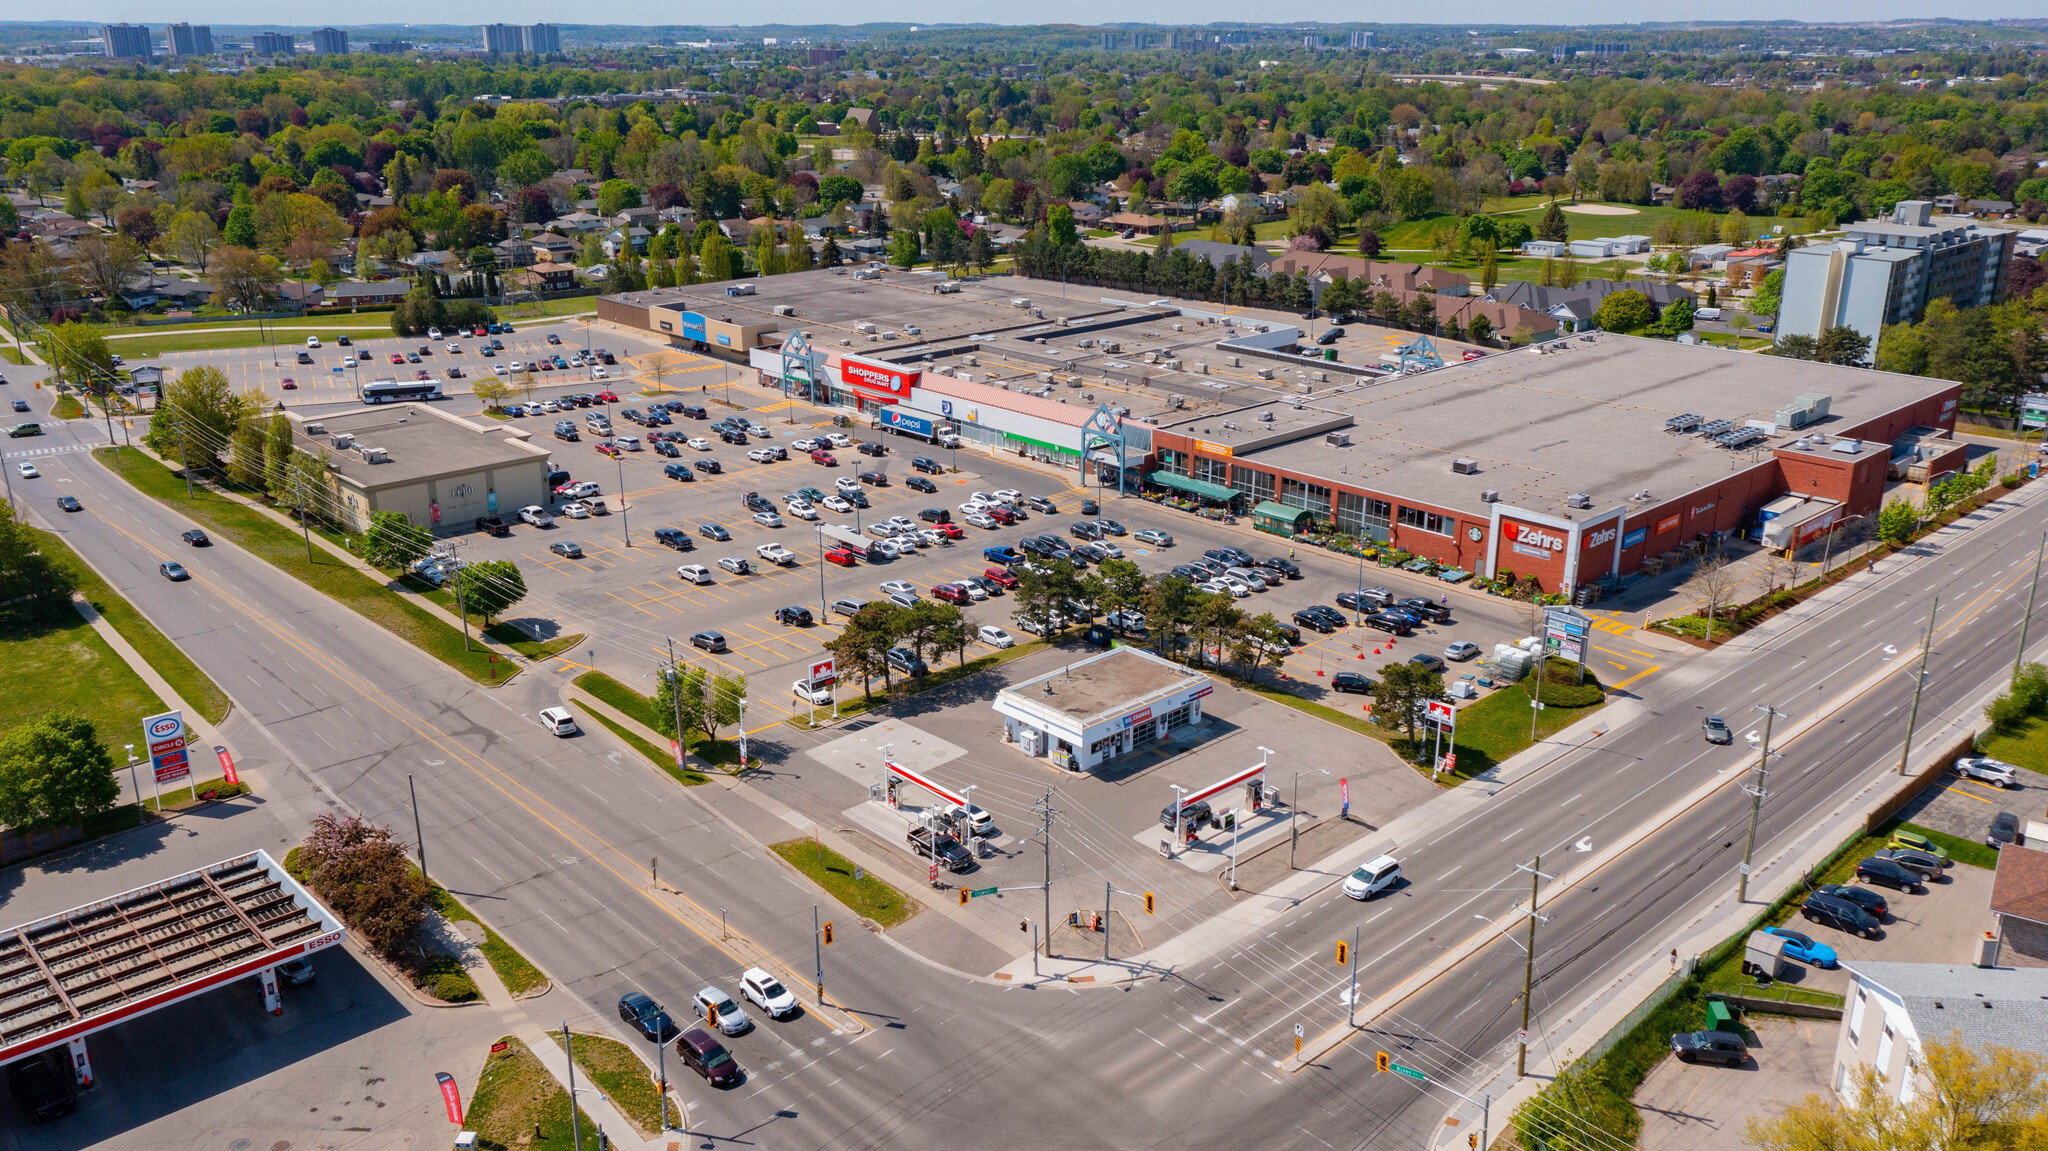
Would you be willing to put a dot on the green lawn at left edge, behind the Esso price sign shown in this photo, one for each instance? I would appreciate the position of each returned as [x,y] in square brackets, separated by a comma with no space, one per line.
[65,667]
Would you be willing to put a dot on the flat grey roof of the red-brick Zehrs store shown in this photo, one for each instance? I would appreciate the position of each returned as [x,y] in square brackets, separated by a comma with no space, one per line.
[1582,417]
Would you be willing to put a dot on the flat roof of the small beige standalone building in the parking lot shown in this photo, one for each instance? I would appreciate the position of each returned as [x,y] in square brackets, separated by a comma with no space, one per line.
[419,441]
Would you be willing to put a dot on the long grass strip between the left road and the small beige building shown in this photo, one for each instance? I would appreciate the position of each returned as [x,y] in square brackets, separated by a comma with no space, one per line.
[284,550]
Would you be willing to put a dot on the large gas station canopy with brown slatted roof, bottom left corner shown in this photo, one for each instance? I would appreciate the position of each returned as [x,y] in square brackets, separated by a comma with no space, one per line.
[69,976]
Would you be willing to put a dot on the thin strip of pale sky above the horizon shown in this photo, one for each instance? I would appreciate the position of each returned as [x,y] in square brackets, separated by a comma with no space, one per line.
[650,13]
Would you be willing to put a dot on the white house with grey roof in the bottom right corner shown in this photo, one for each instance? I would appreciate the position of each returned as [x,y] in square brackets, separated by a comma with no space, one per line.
[1897,1009]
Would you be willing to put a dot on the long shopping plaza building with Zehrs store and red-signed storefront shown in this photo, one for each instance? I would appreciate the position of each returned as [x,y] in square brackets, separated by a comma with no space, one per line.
[1578,462]
